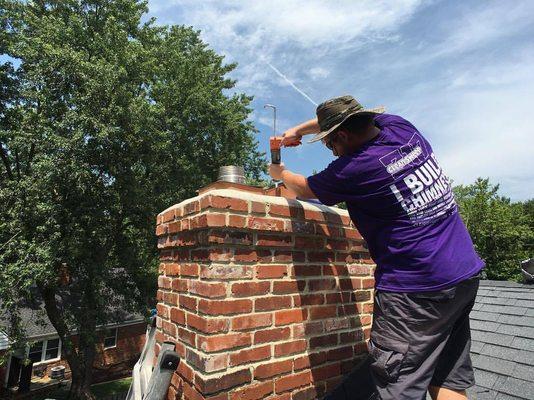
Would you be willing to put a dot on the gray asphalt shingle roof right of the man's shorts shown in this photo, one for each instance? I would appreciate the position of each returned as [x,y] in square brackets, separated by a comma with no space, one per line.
[502,333]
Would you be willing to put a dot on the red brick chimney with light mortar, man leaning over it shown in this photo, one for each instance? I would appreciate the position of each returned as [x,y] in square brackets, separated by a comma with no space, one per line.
[265,297]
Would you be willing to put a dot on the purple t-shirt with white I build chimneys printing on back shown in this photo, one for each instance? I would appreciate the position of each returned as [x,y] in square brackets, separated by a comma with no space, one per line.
[402,203]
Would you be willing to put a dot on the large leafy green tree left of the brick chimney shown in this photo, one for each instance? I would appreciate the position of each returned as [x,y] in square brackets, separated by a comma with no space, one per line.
[106,122]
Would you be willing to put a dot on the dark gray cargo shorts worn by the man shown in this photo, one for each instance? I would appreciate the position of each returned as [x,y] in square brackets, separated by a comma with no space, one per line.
[421,339]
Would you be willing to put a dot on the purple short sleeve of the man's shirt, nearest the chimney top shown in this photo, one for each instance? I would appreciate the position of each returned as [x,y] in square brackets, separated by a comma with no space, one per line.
[330,186]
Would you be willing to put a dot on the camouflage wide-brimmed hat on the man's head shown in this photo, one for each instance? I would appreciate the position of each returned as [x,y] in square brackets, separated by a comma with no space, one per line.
[332,113]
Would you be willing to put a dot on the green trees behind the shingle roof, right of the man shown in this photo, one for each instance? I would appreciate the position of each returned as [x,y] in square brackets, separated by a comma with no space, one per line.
[502,231]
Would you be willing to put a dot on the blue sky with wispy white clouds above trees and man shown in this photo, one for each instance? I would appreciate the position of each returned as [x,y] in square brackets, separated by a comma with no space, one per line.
[461,72]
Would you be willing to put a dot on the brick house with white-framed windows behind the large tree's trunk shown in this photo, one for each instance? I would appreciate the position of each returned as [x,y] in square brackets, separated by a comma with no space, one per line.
[119,348]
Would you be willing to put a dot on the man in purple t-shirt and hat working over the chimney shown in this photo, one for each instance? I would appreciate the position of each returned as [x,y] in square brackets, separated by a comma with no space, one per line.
[427,271]
